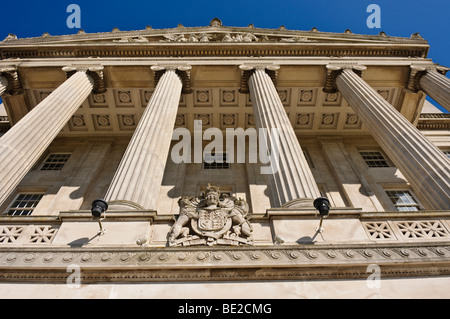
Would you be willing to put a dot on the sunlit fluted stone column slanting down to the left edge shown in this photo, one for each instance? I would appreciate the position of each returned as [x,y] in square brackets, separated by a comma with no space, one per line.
[26,141]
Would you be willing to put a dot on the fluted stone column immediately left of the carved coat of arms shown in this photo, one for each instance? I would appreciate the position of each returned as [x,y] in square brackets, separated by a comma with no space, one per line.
[138,178]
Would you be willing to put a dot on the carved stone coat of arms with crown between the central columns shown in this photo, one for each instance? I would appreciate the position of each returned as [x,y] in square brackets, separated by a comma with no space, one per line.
[211,218]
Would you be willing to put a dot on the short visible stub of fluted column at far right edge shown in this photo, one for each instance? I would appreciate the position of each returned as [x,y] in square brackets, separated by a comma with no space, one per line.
[437,86]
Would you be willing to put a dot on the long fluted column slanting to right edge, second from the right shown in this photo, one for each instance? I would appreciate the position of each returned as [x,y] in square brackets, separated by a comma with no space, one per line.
[425,167]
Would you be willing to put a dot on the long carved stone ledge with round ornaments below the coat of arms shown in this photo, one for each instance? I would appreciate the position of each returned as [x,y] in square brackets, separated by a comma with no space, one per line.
[118,264]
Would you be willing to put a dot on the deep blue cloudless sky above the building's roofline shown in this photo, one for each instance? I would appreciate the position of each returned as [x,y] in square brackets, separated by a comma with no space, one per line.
[398,17]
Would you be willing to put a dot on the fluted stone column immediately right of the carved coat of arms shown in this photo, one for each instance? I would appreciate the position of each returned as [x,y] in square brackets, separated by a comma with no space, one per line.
[292,184]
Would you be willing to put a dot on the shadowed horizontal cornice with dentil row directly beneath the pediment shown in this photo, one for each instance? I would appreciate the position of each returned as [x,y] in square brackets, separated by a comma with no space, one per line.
[155,50]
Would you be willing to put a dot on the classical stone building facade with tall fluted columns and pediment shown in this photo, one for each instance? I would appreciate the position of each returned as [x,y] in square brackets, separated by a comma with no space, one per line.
[128,119]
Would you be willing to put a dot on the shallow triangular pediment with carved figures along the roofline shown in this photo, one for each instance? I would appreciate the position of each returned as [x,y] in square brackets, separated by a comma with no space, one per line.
[215,32]
